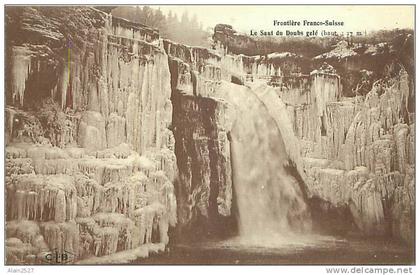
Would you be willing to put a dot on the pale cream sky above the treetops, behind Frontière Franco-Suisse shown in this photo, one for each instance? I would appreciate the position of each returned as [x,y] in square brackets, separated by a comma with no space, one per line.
[245,18]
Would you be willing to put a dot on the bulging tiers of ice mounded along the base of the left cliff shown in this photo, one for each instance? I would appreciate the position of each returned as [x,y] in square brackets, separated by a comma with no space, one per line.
[96,206]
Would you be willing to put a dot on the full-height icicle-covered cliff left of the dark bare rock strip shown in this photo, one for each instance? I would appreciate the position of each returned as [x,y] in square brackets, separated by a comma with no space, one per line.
[90,158]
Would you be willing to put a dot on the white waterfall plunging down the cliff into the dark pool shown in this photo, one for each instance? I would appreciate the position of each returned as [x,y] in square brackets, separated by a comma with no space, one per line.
[270,202]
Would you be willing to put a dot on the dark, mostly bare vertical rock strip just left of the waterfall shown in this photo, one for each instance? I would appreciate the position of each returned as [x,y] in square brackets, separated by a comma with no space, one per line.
[201,123]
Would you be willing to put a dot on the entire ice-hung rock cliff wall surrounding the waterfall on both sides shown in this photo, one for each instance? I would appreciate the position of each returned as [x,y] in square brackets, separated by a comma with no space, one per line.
[114,134]
